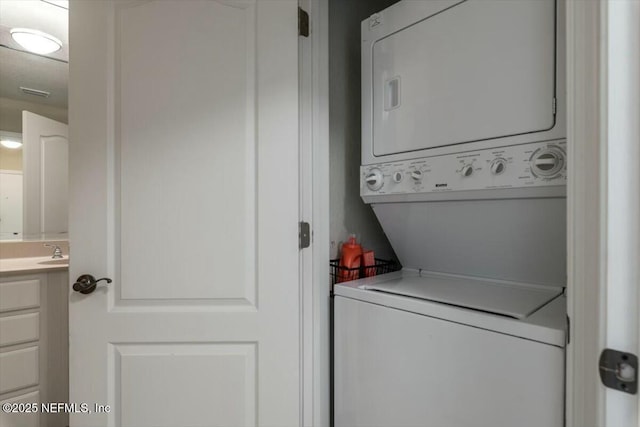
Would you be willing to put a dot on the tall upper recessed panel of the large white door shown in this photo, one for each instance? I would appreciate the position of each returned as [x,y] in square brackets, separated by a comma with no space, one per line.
[188,151]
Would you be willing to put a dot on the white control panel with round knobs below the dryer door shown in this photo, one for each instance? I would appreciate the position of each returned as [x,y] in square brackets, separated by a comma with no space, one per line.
[528,165]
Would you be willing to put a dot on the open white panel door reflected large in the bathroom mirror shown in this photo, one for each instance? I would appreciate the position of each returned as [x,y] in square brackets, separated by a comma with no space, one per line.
[46,179]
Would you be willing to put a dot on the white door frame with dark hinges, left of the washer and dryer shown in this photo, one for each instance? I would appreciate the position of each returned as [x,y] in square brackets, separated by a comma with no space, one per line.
[314,208]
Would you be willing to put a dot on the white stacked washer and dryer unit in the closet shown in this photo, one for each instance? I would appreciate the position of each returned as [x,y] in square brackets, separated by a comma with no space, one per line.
[463,163]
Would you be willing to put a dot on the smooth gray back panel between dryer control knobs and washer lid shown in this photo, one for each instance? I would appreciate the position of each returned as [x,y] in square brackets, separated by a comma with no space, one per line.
[522,240]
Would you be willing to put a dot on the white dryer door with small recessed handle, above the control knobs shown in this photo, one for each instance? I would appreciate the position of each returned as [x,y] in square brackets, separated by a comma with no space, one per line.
[478,70]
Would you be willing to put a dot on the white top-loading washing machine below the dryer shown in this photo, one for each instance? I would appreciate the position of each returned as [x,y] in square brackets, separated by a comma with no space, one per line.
[429,360]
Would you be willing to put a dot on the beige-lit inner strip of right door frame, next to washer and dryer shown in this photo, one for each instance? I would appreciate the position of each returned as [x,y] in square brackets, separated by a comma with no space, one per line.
[586,195]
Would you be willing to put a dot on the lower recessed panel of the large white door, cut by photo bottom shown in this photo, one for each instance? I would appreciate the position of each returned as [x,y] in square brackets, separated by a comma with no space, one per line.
[226,370]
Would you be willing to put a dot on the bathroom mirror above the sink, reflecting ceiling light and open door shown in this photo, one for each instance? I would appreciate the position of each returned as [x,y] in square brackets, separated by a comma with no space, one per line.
[33,178]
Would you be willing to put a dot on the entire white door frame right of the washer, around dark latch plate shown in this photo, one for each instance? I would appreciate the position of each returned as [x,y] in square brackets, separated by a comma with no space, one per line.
[602,142]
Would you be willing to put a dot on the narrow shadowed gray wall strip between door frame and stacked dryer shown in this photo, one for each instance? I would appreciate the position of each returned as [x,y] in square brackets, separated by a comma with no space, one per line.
[348,213]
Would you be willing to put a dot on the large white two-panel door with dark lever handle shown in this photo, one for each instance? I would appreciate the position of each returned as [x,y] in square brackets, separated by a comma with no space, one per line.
[184,191]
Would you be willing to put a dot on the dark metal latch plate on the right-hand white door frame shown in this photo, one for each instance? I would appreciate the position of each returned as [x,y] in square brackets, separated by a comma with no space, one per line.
[619,370]
